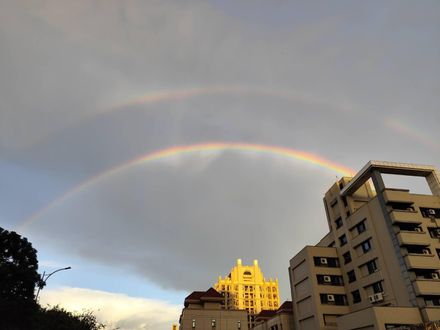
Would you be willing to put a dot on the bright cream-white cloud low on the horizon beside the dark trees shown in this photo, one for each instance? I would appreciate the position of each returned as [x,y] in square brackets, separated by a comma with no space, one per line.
[115,310]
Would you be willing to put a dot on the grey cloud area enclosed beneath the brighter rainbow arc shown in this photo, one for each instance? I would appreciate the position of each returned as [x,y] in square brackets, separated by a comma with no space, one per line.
[182,226]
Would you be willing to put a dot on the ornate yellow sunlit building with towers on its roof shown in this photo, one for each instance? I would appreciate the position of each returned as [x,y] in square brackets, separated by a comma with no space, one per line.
[246,288]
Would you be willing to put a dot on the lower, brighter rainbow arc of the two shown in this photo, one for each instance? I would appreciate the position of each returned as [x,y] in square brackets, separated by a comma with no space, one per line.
[188,149]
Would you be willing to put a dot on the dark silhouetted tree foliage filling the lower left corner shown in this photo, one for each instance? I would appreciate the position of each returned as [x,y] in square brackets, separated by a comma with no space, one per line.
[18,279]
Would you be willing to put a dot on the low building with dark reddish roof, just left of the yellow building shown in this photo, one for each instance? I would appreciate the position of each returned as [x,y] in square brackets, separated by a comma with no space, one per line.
[205,310]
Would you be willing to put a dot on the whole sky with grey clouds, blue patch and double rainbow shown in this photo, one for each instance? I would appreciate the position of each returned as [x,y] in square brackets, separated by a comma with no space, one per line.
[149,144]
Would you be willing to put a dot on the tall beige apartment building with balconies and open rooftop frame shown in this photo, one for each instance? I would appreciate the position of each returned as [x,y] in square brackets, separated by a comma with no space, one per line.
[378,267]
